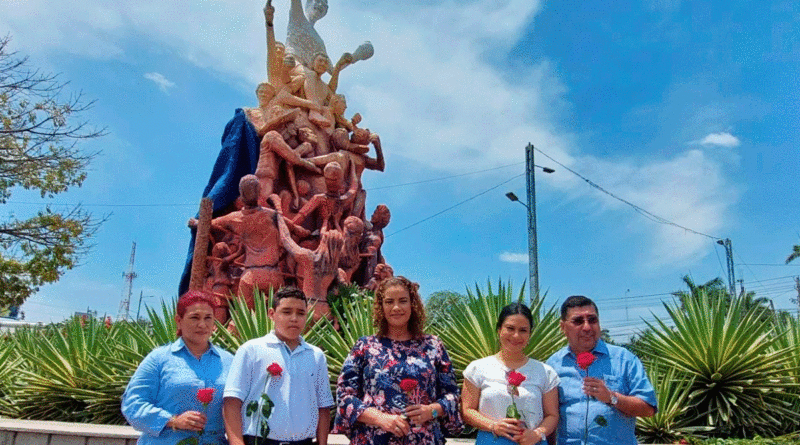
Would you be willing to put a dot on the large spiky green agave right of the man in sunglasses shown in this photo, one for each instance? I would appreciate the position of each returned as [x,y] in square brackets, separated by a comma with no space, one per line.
[739,371]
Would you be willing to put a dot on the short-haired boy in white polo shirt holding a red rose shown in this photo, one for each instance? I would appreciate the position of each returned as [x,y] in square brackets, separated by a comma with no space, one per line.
[277,392]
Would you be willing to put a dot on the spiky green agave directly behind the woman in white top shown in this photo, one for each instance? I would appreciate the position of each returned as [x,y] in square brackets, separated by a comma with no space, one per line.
[470,333]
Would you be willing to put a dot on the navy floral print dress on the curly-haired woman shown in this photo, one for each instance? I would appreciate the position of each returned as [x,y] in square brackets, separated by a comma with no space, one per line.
[371,378]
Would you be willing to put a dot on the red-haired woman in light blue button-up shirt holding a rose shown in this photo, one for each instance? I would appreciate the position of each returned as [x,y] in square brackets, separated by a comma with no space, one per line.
[161,399]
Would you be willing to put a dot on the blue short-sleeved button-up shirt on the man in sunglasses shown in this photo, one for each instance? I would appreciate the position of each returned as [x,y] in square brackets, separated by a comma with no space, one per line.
[622,372]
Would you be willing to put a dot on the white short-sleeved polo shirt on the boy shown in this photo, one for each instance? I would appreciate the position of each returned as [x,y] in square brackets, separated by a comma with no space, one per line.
[298,394]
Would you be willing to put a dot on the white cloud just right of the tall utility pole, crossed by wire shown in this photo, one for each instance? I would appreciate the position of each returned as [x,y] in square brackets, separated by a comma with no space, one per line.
[690,190]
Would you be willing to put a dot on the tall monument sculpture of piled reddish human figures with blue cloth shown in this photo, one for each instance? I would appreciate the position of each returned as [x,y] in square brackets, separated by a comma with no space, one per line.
[285,203]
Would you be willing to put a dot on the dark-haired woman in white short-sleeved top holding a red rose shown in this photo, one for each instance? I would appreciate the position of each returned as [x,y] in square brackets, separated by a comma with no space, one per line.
[487,393]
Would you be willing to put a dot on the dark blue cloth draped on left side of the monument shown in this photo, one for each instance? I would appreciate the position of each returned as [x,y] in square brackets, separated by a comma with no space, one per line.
[238,157]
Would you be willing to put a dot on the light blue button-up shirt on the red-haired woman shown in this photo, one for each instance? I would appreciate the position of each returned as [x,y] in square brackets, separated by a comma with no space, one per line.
[166,384]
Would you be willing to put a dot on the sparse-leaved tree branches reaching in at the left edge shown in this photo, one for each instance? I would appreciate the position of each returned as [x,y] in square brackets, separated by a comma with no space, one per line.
[39,151]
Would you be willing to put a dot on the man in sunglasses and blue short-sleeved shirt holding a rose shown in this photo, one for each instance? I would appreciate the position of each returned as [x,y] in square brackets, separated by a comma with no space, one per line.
[598,404]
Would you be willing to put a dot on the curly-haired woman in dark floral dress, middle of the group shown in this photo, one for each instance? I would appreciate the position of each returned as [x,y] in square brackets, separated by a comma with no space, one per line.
[373,407]
